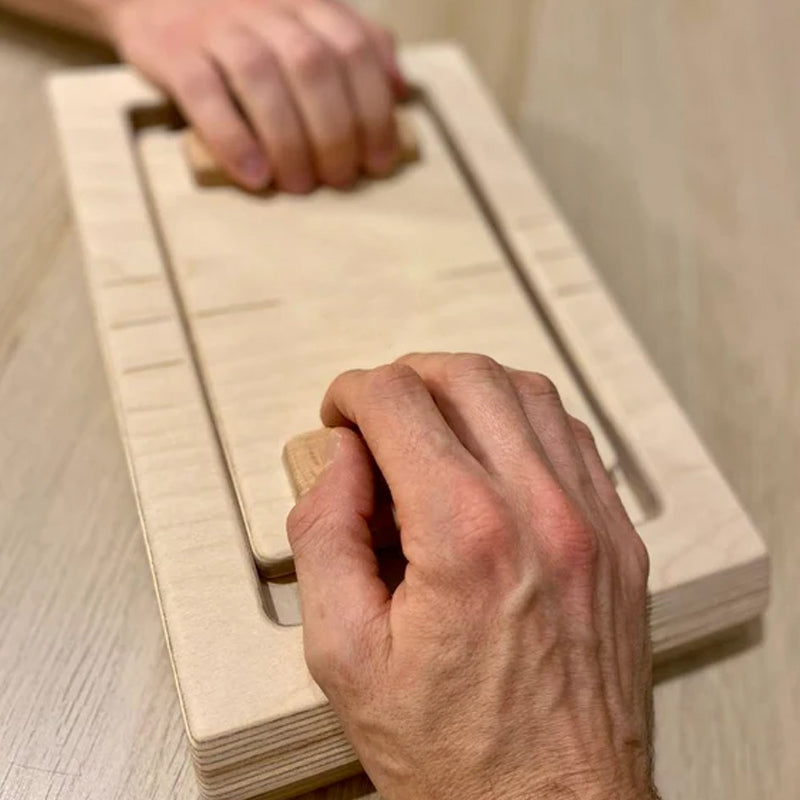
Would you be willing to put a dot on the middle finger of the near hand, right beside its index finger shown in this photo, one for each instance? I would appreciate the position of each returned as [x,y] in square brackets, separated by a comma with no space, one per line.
[477,398]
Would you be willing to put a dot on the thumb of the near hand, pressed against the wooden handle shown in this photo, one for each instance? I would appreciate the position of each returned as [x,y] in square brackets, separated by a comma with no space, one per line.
[337,571]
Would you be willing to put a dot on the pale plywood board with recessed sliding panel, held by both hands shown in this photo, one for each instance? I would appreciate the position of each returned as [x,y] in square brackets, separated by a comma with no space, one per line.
[224,315]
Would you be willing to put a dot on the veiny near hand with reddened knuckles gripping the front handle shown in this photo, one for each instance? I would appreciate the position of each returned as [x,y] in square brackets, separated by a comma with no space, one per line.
[513,661]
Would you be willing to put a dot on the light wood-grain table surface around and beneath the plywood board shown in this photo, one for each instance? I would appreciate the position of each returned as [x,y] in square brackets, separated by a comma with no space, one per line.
[669,133]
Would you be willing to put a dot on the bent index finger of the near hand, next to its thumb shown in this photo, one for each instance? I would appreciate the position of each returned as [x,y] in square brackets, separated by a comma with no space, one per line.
[411,442]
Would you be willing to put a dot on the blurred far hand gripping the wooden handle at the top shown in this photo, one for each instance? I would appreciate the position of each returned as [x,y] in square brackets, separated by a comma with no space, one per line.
[293,92]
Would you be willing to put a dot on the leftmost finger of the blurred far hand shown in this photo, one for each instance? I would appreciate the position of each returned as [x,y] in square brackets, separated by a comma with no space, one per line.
[203,98]
